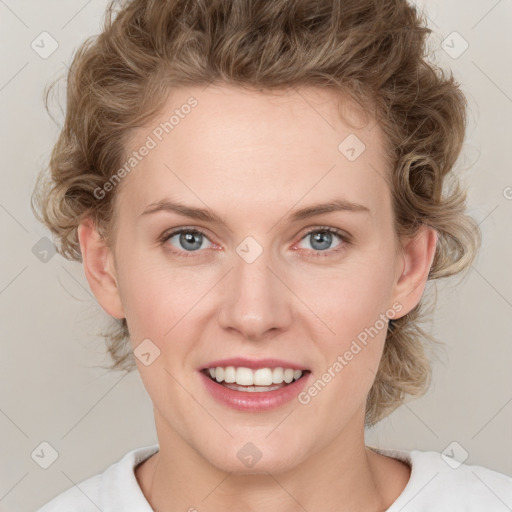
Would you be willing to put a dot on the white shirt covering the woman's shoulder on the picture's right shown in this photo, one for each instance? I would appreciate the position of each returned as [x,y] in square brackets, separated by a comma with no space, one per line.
[440,483]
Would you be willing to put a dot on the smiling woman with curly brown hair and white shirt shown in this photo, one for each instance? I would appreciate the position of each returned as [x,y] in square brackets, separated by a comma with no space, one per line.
[255,190]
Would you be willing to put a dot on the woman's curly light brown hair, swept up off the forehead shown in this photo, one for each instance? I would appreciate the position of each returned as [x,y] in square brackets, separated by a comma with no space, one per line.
[372,50]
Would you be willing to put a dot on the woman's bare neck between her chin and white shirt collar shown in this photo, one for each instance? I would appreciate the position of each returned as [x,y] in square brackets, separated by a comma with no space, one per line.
[342,476]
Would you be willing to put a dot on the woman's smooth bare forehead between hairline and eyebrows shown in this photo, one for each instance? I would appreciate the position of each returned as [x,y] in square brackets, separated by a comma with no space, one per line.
[223,145]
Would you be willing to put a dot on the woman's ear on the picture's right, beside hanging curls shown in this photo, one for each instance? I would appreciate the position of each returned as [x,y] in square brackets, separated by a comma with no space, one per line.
[418,254]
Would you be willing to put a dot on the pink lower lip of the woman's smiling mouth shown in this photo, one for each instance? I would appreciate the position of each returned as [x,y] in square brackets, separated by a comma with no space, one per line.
[254,401]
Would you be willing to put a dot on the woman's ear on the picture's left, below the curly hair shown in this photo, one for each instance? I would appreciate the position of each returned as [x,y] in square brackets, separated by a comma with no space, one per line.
[99,269]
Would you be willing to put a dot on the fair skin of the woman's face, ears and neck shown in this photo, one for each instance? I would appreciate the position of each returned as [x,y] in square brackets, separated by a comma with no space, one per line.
[252,158]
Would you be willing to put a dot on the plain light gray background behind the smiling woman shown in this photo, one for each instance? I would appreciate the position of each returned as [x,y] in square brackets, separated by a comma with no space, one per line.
[50,388]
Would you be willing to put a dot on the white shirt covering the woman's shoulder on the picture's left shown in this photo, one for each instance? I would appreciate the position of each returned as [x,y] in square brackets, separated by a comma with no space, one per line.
[116,488]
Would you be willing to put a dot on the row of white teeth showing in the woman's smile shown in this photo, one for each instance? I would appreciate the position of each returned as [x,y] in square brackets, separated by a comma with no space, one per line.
[248,377]
